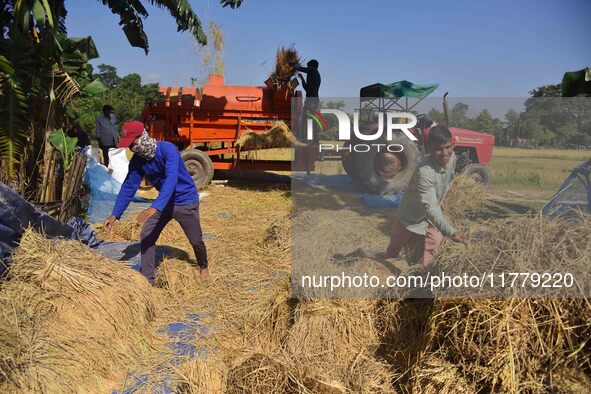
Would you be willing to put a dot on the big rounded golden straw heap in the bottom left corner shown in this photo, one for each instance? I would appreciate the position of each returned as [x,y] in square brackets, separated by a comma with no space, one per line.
[70,320]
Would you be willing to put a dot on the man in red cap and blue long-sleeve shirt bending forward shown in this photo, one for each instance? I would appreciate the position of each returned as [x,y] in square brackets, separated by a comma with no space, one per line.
[178,199]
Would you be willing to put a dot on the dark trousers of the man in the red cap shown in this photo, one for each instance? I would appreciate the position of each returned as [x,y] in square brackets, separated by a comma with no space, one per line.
[188,218]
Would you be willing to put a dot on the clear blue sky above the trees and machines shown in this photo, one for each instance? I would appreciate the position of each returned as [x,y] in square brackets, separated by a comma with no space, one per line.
[471,48]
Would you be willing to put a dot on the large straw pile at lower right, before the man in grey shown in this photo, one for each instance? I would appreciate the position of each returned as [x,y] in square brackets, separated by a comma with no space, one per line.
[520,343]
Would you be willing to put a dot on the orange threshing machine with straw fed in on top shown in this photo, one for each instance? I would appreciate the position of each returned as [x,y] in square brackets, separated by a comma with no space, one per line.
[206,124]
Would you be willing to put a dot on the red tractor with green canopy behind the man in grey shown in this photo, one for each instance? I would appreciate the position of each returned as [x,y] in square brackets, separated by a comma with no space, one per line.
[383,172]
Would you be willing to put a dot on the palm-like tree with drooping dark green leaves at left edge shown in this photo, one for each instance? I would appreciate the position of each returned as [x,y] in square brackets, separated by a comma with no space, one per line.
[37,62]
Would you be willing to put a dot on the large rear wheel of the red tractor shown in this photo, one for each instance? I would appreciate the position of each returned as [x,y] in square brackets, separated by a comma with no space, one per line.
[384,172]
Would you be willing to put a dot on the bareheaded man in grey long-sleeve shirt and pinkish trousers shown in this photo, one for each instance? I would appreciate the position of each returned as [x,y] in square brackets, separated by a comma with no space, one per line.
[420,214]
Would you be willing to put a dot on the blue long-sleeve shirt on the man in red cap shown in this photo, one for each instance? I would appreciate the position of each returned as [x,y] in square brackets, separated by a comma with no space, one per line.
[166,171]
